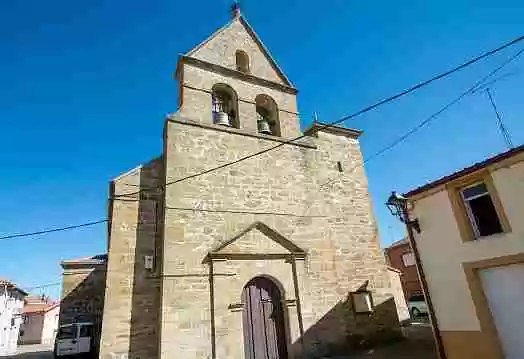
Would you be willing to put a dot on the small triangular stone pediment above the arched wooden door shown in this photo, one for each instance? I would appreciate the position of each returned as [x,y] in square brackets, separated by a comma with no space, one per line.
[258,238]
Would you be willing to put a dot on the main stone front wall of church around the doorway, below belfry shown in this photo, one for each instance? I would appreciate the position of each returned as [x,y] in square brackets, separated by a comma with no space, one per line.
[343,250]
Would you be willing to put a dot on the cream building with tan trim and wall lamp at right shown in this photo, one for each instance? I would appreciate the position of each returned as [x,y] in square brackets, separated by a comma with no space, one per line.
[471,247]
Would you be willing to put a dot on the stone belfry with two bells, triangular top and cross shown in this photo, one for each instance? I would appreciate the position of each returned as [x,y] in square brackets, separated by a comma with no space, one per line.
[231,81]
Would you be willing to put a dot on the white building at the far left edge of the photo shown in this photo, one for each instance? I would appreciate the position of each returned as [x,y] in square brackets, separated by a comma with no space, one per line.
[11,304]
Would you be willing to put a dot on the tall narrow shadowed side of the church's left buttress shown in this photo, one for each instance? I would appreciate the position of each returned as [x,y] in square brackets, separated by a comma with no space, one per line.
[145,312]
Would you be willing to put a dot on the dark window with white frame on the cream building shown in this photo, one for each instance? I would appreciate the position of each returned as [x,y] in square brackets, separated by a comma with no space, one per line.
[481,211]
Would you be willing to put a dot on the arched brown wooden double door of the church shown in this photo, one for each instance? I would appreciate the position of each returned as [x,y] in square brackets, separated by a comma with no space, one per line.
[263,320]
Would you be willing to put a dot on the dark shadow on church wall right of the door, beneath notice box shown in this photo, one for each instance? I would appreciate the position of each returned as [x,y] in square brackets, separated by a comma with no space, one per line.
[341,331]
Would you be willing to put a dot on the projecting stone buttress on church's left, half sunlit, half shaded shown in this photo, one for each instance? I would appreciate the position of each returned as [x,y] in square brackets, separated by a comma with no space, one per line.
[132,292]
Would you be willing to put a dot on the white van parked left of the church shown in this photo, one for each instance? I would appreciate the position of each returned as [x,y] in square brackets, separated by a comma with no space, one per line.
[74,339]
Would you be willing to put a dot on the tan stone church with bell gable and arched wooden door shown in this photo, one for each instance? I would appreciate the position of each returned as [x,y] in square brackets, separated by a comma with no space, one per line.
[276,256]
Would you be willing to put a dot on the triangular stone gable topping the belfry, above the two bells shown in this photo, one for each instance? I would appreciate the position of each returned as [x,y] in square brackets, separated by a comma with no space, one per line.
[213,50]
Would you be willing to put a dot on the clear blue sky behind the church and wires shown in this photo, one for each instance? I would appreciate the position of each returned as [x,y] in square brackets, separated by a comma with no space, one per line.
[85,85]
